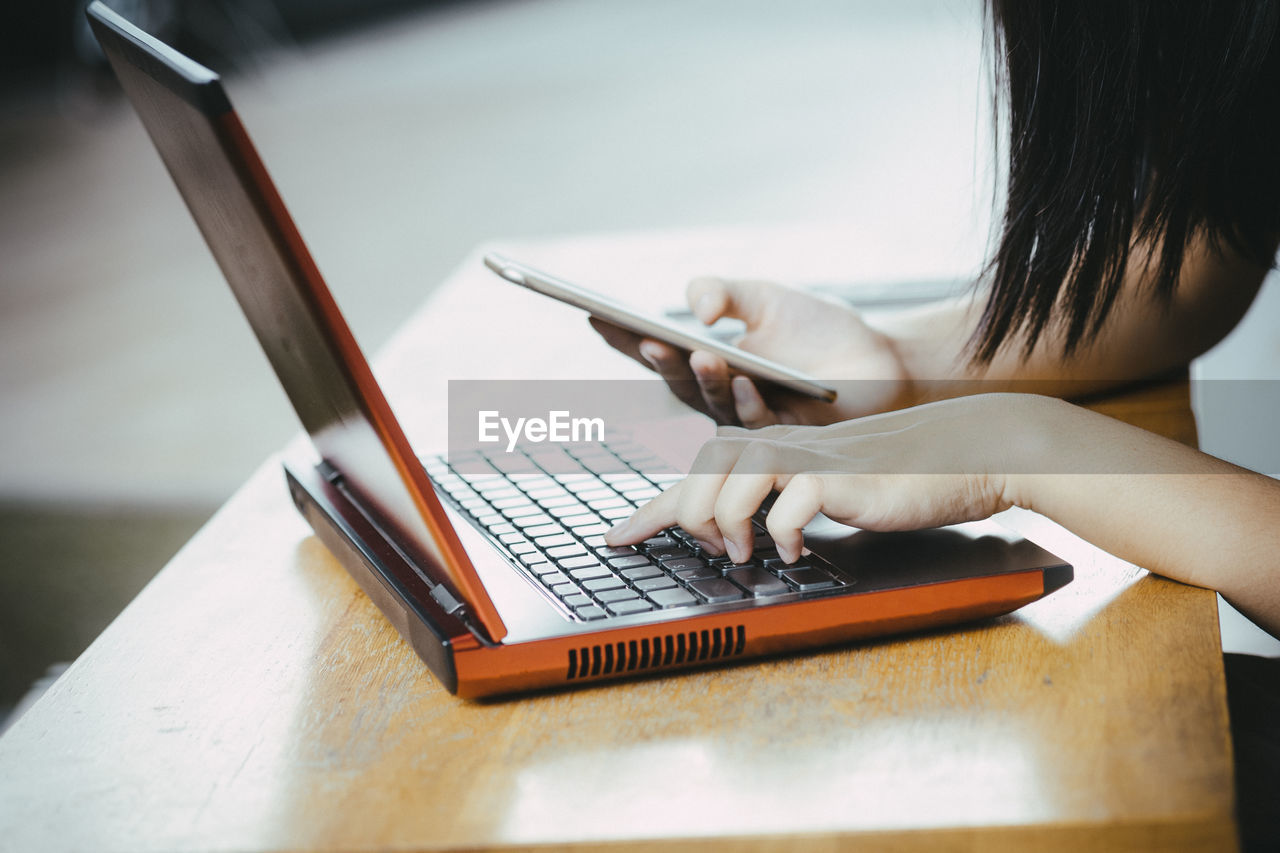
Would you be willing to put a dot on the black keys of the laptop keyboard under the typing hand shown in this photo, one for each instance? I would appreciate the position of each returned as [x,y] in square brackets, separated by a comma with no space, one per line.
[550,508]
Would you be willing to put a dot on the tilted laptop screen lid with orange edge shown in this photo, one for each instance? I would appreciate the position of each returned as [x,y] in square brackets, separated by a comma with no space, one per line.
[255,243]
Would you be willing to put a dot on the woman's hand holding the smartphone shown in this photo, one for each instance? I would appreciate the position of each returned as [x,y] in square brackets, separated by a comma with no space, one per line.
[821,337]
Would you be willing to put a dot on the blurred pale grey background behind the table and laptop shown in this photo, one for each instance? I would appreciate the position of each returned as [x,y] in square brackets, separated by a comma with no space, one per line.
[403,134]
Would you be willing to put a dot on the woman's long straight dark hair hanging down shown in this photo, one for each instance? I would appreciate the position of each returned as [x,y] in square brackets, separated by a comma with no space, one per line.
[1131,122]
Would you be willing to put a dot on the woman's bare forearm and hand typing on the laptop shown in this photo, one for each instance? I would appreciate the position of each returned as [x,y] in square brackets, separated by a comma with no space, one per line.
[1140,496]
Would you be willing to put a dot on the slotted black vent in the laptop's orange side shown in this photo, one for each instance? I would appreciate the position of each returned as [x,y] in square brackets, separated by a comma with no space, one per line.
[656,653]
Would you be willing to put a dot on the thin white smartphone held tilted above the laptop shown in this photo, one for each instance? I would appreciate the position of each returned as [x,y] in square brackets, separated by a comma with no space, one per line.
[652,327]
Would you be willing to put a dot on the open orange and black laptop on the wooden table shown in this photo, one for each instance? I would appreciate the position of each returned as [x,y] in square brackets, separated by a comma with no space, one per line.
[496,572]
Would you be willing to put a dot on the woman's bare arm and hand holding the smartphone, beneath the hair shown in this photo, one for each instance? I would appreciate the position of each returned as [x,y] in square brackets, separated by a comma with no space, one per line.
[921,354]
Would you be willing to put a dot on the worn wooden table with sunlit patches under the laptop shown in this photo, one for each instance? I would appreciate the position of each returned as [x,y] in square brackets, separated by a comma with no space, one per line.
[253,699]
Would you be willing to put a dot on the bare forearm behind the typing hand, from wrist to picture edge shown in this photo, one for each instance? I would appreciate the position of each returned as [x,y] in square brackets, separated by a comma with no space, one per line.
[1156,504]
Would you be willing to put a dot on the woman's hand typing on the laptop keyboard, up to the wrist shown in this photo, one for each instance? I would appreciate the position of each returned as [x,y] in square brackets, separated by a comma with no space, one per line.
[938,464]
